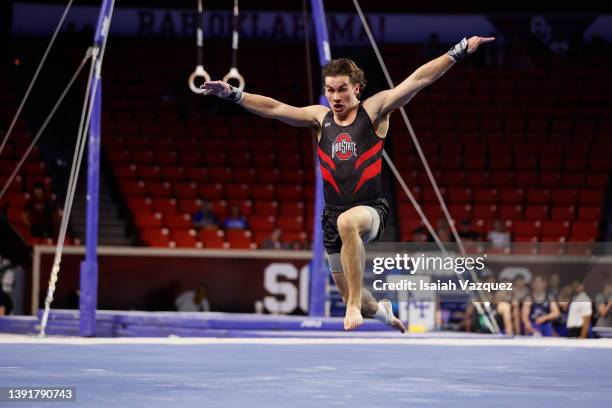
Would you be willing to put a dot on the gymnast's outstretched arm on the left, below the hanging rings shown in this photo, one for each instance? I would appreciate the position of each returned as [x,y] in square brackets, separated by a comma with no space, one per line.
[309,116]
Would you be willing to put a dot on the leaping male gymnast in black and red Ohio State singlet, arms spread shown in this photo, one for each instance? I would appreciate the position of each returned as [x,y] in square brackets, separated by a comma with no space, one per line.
[351,137]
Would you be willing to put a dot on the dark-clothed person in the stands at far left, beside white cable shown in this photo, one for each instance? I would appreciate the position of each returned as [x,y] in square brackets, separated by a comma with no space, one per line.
[41,213]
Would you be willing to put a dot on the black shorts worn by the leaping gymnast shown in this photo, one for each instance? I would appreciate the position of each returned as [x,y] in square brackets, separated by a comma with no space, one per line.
[329,221]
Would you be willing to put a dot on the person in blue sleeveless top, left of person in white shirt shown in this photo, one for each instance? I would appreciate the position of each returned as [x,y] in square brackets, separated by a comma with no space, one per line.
[539,310]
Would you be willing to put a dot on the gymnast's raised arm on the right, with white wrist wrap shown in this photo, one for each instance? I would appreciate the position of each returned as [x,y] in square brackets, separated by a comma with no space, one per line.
[384,102]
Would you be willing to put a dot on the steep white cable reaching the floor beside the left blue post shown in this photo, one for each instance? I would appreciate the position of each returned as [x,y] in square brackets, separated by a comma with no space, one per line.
[95,70]
